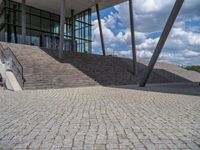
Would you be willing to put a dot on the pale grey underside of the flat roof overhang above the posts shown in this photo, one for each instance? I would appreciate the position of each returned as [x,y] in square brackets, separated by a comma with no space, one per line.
[78,5]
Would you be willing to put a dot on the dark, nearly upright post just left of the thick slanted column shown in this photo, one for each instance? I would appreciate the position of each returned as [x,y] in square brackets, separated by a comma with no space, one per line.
[133,37]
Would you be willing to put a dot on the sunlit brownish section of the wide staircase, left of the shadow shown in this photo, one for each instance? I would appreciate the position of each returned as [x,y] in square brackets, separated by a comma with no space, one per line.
[41,71]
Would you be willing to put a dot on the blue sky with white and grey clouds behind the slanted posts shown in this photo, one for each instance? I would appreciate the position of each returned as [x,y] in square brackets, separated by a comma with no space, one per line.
[181,48]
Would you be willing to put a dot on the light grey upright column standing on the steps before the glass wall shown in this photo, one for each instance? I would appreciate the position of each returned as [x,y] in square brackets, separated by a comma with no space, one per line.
[62,24]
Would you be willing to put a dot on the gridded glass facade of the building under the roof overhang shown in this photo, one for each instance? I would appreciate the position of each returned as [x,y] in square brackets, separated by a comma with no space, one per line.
[42,28]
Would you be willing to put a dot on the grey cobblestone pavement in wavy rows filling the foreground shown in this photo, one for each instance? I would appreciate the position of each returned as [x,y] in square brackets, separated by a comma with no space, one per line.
[98,118]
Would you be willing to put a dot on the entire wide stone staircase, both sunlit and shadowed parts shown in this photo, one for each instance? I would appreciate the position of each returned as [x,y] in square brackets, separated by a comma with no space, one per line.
[43,70]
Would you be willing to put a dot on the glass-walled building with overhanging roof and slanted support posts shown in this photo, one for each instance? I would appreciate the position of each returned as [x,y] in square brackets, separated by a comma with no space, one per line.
[65,25]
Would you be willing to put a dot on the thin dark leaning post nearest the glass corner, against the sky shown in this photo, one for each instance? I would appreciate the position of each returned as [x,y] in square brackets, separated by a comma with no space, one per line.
[100,30]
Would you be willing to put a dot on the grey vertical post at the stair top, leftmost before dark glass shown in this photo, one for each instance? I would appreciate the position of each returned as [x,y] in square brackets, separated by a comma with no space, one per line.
[24,21]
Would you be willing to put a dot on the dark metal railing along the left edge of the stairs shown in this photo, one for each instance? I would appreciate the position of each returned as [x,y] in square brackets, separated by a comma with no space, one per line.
[16,67]
